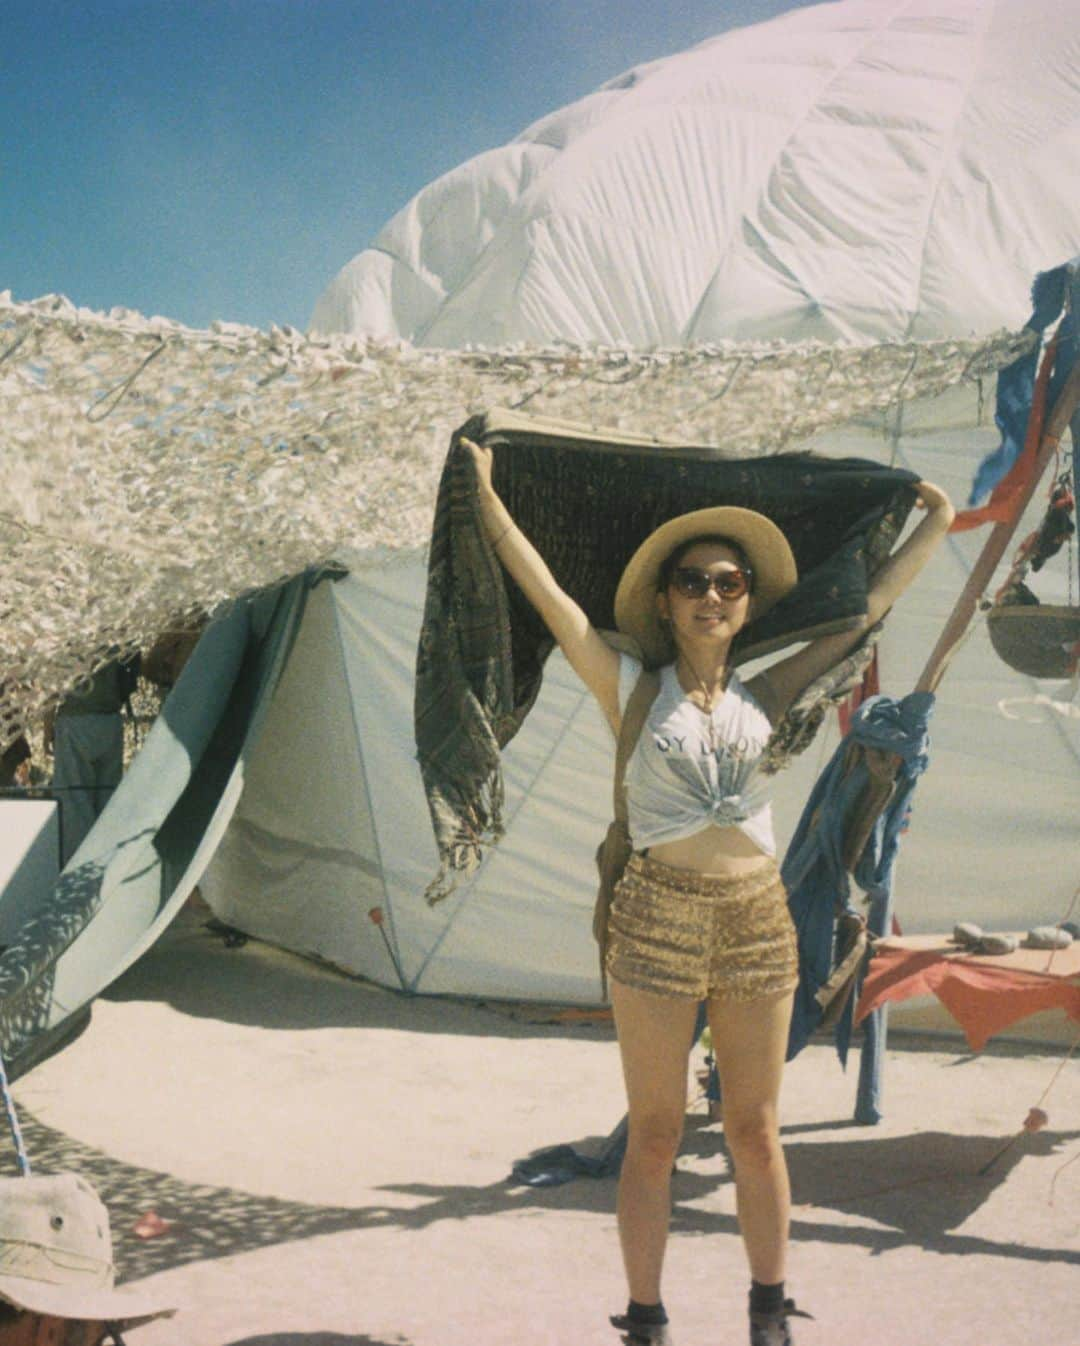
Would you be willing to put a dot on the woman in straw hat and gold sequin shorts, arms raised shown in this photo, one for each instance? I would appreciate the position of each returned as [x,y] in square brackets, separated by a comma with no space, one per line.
[701,912]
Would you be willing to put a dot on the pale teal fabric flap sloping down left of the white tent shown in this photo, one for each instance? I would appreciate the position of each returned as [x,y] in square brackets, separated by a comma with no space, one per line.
[134,872]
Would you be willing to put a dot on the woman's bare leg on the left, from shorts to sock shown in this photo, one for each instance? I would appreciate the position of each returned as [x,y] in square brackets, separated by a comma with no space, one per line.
[655,1041]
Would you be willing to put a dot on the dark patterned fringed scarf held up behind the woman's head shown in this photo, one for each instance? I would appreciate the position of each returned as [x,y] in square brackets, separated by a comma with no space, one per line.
[586,505]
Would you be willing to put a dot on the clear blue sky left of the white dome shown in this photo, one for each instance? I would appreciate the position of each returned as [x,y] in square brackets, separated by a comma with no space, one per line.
[226,158]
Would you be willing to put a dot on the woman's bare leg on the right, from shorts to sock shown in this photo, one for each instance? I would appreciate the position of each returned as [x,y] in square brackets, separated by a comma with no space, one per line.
[749,1041]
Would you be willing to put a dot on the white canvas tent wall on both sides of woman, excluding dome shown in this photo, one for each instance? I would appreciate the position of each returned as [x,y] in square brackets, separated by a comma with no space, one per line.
[333,820]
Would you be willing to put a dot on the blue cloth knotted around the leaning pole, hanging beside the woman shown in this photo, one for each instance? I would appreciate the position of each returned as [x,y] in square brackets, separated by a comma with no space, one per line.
[818,882]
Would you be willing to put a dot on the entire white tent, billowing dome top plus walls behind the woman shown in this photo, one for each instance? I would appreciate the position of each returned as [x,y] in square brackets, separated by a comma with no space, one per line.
[858,172]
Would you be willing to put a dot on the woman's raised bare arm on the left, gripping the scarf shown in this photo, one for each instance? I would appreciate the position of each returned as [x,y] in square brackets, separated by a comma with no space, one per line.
[588,653]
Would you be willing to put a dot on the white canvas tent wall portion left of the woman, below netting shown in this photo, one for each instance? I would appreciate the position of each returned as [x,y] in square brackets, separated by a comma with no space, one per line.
[333,820]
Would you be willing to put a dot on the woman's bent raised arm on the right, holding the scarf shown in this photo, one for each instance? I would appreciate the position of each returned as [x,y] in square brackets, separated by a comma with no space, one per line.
[780,684]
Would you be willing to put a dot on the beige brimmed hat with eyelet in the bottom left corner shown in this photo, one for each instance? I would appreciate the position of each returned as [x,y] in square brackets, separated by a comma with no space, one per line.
[57,1254]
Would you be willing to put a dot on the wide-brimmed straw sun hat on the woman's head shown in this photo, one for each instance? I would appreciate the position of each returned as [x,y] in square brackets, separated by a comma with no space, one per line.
[767,550]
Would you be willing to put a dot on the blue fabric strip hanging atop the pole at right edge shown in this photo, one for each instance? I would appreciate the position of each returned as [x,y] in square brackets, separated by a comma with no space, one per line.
[1052,291]
